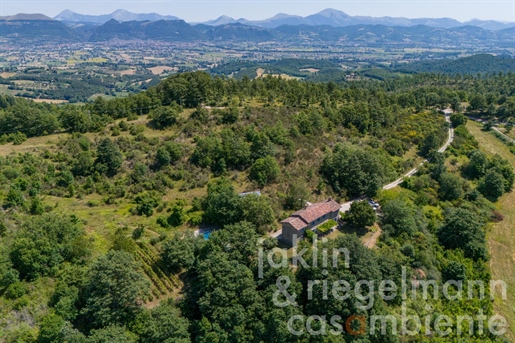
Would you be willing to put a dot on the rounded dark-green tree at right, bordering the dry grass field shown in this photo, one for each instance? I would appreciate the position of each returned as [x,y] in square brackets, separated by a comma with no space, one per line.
[462,229]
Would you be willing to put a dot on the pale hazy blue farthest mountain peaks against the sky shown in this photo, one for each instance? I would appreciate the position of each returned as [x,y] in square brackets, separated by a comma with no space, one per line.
[330,17]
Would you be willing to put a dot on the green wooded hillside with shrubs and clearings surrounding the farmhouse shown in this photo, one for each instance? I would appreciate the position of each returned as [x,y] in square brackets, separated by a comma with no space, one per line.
[177,156]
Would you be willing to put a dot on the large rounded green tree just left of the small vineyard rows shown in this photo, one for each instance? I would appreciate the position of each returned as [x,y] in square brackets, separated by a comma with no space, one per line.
[114,290]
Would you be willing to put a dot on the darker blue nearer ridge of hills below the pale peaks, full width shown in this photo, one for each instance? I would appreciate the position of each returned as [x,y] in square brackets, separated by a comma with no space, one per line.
[37,28]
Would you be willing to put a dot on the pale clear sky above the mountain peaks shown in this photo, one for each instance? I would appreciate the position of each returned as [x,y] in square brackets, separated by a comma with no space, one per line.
[202,10]
